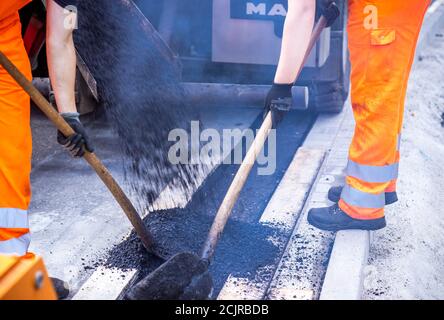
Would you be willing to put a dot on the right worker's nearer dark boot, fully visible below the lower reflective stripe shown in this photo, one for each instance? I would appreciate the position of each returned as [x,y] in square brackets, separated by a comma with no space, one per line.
[334,219]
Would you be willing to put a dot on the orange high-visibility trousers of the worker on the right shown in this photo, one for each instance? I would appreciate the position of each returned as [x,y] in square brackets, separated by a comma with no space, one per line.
[382,40]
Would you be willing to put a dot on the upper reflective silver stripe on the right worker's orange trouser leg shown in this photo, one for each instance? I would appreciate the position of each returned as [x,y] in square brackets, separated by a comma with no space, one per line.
[373,174]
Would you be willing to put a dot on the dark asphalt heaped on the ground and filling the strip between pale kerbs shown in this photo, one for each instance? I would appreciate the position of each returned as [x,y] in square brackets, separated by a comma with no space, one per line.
[246,245]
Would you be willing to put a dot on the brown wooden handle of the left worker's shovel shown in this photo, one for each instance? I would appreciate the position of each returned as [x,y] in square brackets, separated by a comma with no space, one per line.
[91,158]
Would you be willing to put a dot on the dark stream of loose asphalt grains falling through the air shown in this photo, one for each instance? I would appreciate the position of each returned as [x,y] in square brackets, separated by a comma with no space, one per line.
[139,87]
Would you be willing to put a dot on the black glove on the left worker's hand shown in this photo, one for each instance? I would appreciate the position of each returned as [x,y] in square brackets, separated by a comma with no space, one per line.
[78,142]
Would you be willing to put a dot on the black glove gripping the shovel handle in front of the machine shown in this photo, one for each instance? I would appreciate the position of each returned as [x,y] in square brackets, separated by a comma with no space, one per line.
[278,101]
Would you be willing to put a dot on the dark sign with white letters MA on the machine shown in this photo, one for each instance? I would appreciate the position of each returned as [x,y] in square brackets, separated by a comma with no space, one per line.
[258,9]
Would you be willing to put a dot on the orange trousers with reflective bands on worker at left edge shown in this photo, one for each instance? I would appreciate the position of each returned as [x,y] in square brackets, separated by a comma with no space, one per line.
[15,137]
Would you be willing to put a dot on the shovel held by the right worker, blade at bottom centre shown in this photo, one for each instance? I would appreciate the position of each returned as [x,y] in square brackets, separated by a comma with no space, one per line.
[185,276]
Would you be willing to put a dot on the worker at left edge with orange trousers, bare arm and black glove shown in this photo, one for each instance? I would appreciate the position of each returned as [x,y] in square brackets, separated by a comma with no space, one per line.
[15,130]
